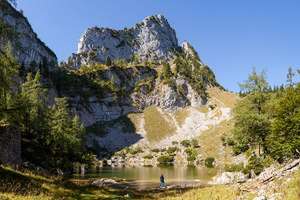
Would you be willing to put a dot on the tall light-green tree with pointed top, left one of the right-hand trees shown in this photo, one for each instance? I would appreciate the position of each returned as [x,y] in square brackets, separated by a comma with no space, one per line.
[252,123]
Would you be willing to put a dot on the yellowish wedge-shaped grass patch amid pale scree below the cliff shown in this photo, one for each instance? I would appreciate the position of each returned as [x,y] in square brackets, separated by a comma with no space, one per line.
[157,125]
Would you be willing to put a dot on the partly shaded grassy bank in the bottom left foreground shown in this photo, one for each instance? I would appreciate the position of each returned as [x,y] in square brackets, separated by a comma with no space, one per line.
[17,185]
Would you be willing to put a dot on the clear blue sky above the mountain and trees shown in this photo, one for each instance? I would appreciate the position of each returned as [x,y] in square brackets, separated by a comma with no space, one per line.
[231,36]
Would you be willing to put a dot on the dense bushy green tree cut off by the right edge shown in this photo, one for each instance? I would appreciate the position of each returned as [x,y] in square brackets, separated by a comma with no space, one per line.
[284,140]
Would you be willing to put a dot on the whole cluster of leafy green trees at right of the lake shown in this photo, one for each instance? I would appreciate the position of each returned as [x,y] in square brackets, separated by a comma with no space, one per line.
[268,119]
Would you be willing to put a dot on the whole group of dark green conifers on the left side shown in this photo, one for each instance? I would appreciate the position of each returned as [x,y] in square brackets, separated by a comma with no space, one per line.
[51,138]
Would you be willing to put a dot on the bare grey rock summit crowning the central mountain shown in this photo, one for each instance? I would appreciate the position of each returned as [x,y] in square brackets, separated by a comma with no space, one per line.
[152,39]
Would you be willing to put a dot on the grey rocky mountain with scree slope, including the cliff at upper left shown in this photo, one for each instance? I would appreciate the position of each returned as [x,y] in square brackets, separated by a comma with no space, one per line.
[152,94]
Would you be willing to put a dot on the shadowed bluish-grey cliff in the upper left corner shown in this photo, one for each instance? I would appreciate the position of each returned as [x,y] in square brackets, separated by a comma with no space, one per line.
[26,46]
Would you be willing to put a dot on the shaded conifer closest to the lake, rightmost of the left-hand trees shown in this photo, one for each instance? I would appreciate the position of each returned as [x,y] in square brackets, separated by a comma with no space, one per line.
[65,135]
